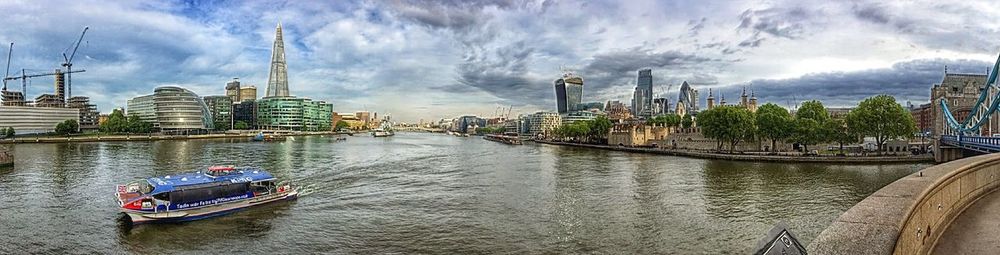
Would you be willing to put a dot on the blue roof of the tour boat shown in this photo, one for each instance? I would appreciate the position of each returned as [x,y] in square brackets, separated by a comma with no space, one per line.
[170,183]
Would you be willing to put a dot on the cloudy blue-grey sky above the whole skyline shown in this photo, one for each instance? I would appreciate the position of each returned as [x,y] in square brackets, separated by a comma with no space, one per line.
[437,59]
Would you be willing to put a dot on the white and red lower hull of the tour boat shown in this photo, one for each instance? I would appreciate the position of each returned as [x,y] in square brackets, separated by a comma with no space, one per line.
[138,217]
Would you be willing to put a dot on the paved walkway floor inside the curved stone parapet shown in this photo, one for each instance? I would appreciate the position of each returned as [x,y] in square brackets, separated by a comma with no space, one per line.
[975,231]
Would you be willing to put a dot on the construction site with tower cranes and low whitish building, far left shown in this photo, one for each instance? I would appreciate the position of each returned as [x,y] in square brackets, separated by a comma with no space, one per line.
[47,109]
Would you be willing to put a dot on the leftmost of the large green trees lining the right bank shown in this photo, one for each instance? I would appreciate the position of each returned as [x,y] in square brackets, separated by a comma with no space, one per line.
[729,124]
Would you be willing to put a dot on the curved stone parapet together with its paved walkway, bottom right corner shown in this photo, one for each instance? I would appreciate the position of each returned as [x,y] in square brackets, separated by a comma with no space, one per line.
[949,208]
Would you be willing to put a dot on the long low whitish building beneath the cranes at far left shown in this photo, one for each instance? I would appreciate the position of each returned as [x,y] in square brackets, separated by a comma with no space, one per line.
[34,120]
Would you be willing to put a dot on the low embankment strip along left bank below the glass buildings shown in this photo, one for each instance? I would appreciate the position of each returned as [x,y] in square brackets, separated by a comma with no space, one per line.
[147,137]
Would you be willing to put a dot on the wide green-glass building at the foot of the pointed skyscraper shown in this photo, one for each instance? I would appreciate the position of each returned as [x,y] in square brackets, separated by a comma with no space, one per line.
[293,113]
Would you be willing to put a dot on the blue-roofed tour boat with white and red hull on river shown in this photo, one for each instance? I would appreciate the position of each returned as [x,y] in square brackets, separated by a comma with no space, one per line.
[191,196]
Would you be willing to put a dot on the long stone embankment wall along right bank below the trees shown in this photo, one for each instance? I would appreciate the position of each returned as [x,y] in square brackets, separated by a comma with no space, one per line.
[754,157]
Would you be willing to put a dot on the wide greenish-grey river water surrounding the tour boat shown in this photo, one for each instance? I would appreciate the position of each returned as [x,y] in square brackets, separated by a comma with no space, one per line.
[428,193]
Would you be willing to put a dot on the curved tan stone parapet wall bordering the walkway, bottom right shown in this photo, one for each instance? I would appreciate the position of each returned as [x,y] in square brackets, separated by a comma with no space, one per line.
[909,215]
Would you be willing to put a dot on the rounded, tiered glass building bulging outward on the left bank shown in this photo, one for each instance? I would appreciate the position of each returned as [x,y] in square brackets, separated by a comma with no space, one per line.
[172,109]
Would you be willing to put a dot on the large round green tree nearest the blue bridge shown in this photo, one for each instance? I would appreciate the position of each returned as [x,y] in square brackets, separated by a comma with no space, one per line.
[882,118]
